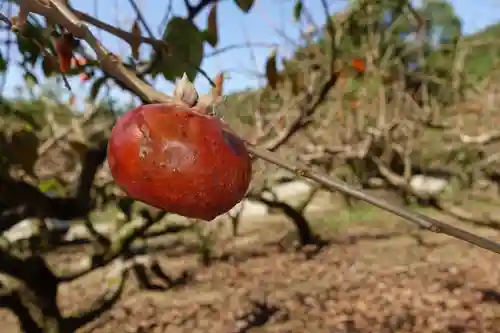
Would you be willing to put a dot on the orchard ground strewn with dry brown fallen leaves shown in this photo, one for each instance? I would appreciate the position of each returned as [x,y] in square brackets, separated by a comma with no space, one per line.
[376,274]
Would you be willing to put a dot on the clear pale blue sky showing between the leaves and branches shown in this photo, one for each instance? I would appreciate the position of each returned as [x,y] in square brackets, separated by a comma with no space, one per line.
[261,25]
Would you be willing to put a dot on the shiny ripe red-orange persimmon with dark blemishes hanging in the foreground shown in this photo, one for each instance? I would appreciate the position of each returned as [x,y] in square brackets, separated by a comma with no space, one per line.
[177,159]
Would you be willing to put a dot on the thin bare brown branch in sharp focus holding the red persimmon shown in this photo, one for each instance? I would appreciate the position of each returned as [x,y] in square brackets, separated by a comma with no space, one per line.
[58,12]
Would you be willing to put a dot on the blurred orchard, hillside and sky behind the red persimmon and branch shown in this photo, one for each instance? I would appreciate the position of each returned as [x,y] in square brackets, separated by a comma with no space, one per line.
[397,98]
